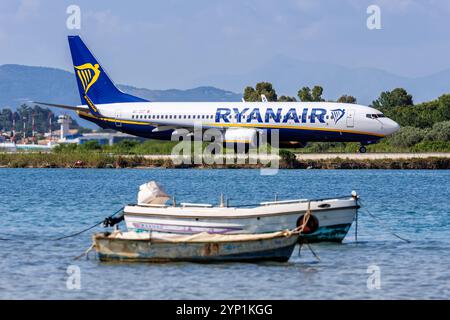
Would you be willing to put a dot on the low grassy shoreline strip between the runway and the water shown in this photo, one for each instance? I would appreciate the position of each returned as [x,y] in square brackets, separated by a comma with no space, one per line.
[287,161]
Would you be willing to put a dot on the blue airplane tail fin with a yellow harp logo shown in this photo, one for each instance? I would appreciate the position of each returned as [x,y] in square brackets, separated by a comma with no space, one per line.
[94,85]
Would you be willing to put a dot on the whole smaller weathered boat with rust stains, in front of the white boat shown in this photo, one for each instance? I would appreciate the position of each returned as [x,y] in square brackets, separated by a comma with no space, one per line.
[202,247]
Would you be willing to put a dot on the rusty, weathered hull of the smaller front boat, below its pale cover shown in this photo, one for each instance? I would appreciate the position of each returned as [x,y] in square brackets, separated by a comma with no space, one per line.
[278,249]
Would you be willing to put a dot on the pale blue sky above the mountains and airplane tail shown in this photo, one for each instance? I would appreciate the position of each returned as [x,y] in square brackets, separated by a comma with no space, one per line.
[173,43]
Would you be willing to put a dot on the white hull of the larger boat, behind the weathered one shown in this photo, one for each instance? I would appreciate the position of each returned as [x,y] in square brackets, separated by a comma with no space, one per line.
[334,220]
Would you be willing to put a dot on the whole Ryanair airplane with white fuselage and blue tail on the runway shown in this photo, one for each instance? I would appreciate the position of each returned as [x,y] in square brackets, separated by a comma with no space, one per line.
[240,122]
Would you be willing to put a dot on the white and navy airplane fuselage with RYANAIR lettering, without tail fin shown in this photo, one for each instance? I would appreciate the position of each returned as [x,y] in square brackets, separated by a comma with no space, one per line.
[311,120]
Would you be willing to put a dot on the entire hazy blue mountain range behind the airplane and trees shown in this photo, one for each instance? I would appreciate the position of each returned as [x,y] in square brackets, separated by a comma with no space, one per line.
[19,84]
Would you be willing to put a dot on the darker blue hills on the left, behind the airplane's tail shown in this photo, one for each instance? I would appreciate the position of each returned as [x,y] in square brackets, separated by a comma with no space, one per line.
[20,84]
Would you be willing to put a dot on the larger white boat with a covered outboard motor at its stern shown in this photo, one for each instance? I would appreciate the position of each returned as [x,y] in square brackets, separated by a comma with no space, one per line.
[331,218]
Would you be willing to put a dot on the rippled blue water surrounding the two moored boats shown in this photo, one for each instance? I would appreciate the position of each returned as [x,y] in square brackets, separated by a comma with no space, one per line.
[39,203]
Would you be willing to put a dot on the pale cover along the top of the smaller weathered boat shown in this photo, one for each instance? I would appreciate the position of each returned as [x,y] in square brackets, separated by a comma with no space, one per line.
[200,237]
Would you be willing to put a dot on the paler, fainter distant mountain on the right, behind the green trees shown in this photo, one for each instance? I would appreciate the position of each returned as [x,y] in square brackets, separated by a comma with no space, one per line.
[288,75]
